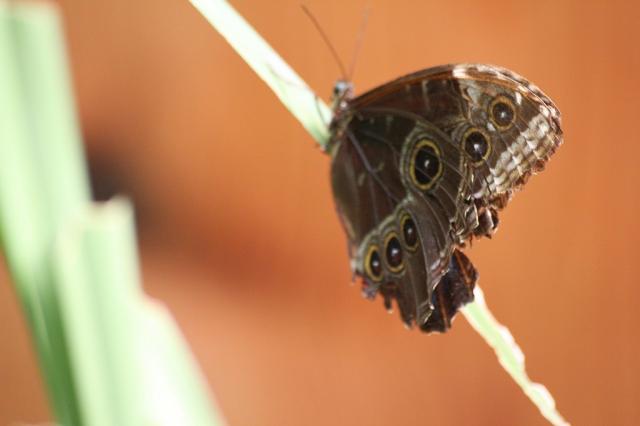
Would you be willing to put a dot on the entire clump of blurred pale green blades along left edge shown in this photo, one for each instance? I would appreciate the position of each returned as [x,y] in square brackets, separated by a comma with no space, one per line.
[74,265]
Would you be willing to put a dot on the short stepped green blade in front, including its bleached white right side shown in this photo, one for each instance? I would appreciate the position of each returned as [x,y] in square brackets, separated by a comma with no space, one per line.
[132,365]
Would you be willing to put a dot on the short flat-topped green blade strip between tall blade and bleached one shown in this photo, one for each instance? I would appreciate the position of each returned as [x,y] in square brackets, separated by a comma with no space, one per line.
[98,287]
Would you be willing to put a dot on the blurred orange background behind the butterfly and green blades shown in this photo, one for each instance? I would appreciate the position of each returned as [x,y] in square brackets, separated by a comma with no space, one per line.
[238,234]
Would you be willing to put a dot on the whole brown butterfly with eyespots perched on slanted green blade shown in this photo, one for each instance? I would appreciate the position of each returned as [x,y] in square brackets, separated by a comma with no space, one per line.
[421,166]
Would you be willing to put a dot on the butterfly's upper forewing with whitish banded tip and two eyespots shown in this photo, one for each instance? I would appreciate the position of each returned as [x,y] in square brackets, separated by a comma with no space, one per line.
[504,125]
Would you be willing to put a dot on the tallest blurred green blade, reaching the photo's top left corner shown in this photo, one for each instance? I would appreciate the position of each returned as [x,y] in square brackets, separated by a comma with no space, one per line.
[42,177]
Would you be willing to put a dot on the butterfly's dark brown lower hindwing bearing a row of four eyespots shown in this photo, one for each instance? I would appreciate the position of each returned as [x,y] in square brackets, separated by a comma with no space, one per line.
[374,196]
